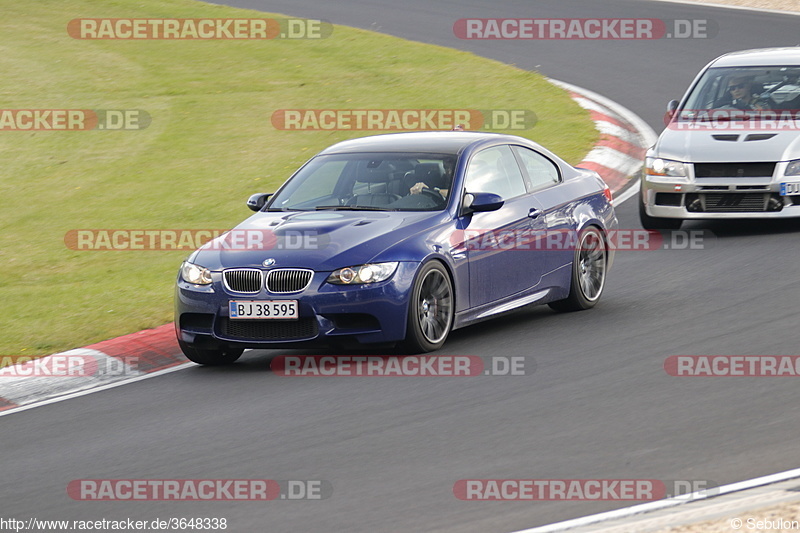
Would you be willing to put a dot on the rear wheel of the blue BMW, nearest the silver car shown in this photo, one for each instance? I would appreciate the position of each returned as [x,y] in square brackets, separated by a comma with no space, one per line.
[588,273]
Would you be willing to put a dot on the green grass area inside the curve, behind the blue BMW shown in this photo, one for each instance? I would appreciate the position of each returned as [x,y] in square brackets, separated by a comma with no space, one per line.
[209,146]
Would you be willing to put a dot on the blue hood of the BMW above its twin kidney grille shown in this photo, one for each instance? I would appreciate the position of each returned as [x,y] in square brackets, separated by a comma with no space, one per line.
[319,240]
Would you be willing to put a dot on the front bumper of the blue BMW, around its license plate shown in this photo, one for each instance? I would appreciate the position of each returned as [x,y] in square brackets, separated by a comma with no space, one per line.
[328,314]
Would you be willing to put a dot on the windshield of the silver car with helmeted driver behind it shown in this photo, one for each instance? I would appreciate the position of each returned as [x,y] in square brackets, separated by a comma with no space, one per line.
[750,89]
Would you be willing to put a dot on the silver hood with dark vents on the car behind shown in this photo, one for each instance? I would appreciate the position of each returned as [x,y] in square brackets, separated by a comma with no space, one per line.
[731,145]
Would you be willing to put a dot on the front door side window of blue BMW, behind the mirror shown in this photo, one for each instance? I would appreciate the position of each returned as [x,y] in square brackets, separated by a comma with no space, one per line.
[495,170]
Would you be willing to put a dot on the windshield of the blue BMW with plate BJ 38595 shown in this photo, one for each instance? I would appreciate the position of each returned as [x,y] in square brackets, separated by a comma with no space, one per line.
[369,181]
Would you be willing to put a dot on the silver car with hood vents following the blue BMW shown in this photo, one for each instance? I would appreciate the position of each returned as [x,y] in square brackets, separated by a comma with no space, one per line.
[731,148]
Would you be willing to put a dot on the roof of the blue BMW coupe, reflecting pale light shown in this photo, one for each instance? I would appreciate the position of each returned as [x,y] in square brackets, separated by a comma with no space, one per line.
[440,142]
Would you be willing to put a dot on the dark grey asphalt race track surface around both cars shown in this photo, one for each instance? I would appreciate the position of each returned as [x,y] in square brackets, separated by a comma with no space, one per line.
[595,403]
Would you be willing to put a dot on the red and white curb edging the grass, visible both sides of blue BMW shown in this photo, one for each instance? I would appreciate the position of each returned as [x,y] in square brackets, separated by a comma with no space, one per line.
[619,153]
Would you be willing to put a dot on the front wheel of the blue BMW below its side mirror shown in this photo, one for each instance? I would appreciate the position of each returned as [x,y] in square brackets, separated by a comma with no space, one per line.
[430,309]
